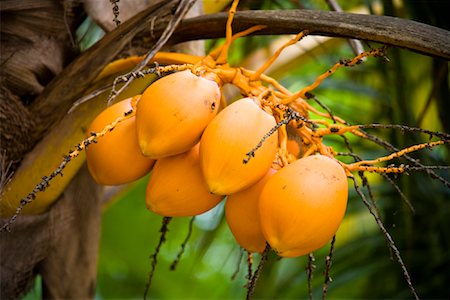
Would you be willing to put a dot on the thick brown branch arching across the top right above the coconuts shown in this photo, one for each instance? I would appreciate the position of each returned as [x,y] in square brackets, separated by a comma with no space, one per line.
[415,36]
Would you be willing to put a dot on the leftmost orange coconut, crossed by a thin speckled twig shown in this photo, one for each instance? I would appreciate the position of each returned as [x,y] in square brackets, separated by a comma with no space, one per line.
[116,157]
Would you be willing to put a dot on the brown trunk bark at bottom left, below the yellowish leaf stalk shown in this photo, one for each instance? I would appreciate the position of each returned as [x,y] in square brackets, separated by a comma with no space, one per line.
[61,245]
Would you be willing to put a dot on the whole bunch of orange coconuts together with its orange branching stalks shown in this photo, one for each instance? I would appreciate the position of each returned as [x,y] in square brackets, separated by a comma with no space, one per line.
[263,154]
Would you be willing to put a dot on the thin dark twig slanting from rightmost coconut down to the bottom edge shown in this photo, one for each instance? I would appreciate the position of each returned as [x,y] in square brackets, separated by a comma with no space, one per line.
[391,243]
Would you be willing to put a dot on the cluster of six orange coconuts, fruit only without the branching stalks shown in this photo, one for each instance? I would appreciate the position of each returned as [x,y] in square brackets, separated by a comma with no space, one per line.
[201,152]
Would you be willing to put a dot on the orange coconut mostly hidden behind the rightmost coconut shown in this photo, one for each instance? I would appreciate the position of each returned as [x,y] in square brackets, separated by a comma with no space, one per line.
[242,215]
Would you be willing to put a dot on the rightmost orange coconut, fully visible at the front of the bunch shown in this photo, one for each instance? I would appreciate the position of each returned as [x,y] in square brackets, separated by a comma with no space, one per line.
[303,204]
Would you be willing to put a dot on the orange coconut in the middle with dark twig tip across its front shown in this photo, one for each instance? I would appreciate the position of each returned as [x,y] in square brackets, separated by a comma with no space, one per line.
[226,141]
